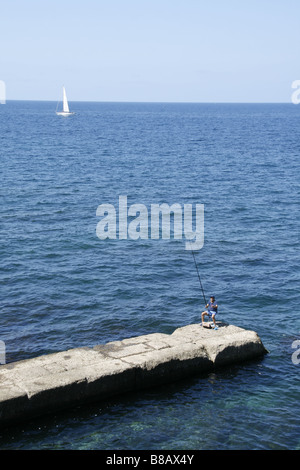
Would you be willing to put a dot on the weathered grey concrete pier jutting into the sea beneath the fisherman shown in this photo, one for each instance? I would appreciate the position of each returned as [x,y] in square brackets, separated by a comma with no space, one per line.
[48,383]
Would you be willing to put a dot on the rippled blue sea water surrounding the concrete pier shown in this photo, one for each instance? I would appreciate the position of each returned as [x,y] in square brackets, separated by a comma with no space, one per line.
[62,287]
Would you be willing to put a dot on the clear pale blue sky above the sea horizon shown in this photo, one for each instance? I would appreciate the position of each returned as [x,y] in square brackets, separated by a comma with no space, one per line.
[150,50]
